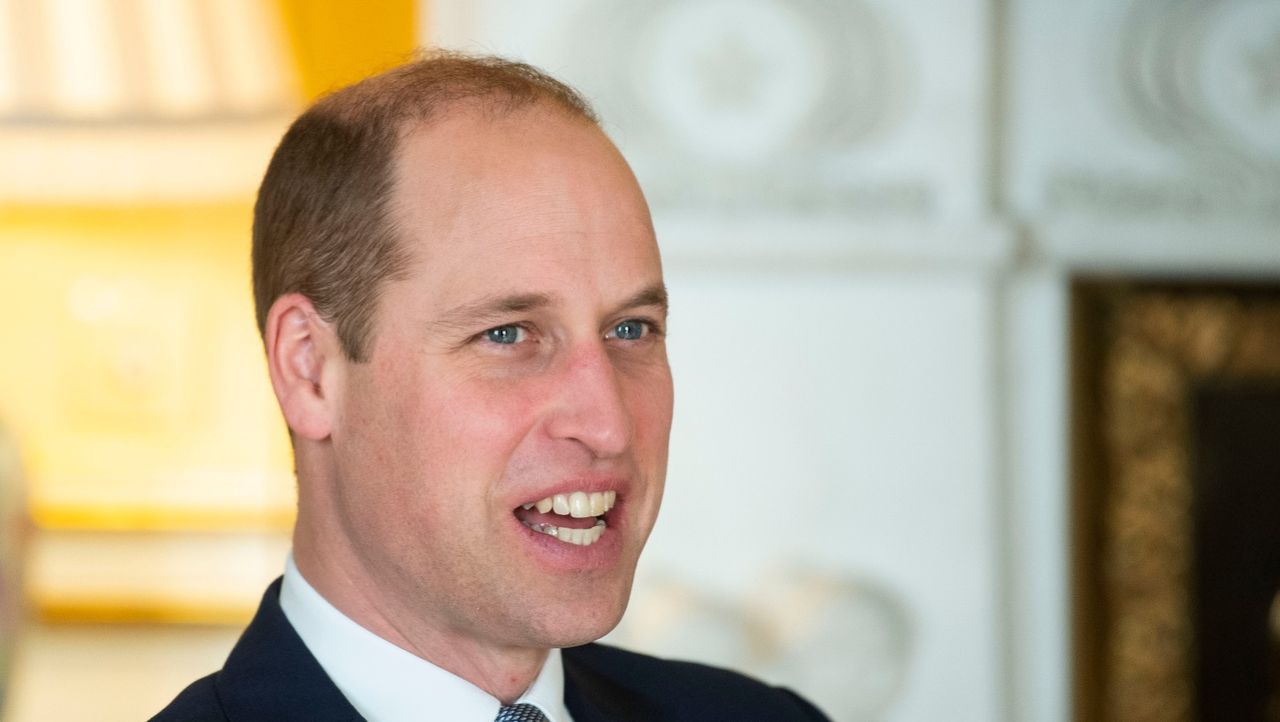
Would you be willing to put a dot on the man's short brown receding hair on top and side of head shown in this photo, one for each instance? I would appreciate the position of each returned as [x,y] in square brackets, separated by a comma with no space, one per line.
[322,223]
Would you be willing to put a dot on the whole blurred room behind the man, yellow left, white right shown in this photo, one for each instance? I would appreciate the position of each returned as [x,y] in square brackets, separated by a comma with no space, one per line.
[976,335]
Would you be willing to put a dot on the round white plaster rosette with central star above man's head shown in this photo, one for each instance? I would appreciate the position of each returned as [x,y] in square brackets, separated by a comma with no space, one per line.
[743,81]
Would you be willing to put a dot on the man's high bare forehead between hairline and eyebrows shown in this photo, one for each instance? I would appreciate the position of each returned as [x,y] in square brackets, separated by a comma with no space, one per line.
[532,193]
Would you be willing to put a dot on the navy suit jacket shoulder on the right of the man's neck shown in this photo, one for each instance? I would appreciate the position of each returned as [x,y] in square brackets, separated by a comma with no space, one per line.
[678,691]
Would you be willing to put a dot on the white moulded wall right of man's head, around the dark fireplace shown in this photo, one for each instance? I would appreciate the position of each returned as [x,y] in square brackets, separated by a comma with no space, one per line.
[871,214]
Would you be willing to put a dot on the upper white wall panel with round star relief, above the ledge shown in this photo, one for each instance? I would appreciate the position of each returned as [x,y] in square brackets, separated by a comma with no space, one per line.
[856,111]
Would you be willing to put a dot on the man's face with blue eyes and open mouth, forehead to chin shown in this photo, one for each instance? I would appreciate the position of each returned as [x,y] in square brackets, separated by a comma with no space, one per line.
[520,359]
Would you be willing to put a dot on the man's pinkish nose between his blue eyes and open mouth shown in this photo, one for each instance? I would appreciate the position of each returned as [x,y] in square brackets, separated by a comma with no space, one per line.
[591,408]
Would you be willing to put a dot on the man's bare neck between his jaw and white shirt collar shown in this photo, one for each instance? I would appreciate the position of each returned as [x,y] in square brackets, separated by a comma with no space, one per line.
[501,671]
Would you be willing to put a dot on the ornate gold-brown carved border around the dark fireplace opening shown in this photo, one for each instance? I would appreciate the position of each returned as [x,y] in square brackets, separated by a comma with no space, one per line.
[1156,348]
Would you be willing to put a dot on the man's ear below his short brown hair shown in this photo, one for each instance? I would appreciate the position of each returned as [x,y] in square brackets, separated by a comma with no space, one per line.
[304,359]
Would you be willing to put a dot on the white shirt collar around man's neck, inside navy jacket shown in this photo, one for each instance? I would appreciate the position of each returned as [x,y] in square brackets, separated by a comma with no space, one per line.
[388,684]
